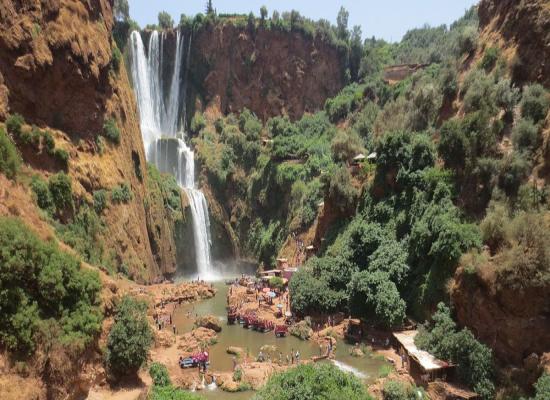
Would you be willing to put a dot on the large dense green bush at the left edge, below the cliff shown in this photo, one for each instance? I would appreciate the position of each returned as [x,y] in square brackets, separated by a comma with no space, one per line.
[41,284]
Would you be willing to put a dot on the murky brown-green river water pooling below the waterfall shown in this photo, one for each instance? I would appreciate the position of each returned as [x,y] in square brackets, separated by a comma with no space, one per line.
[366,368]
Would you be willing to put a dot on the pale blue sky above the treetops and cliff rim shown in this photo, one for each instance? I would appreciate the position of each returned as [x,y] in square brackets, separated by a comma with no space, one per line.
[386,19]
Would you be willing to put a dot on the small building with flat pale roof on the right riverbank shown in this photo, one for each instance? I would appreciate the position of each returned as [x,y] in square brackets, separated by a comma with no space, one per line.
[420,363]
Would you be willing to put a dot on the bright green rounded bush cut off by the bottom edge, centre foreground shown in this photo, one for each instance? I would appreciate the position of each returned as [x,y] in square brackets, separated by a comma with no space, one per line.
[319,381]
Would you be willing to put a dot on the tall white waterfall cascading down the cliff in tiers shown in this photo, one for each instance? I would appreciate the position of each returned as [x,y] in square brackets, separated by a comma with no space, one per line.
[159,120]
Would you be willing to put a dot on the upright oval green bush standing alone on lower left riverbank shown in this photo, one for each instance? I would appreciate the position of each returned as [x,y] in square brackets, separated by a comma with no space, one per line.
[130,338]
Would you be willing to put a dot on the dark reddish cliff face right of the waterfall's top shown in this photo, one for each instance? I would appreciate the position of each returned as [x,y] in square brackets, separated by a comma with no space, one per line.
[266,71]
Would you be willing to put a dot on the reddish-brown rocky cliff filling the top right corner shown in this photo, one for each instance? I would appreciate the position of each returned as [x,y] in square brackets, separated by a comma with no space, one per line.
[524,27]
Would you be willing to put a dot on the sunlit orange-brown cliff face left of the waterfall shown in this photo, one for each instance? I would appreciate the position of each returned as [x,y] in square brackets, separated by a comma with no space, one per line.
[56,70]
